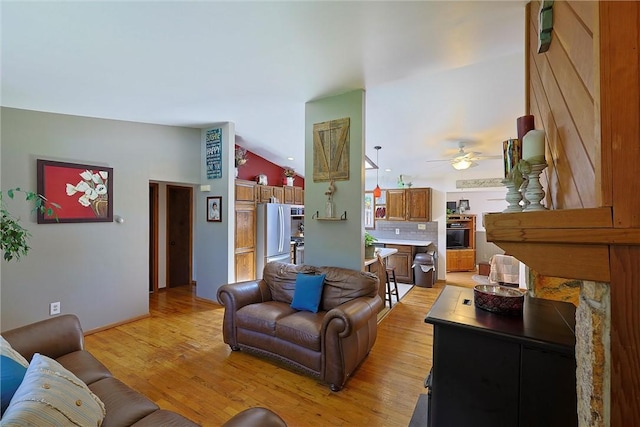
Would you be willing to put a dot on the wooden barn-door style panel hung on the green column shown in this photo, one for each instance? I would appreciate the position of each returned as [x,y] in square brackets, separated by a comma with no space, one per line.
[331,150]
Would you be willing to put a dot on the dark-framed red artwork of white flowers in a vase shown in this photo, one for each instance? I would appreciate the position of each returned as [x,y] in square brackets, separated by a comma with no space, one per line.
[84,192]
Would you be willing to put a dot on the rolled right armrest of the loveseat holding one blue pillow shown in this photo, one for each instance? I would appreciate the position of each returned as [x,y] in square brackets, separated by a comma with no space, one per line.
[347,318]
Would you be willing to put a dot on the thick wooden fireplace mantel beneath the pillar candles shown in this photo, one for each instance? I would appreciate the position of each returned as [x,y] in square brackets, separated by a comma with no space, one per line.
[569,243]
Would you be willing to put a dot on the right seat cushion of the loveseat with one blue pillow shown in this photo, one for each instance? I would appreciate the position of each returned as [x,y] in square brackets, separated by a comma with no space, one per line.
[302,328]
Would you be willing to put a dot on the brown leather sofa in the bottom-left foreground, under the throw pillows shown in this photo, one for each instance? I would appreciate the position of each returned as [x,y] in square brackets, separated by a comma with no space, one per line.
[61,338]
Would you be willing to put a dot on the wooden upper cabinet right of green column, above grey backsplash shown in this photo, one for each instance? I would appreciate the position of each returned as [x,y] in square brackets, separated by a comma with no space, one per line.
[408,204]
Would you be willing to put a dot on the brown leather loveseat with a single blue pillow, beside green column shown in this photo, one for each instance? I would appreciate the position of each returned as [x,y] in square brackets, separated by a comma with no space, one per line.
[329,344]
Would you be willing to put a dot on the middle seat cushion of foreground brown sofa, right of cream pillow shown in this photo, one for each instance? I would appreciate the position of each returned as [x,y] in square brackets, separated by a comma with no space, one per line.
[124,405]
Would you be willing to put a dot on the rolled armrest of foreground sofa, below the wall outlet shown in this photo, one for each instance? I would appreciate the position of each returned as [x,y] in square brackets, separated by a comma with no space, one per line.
[52,337]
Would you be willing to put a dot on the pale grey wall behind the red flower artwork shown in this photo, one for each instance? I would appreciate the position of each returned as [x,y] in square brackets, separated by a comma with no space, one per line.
[98,271]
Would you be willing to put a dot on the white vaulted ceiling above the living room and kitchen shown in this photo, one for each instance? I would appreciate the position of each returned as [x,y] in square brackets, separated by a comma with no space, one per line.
[435,73]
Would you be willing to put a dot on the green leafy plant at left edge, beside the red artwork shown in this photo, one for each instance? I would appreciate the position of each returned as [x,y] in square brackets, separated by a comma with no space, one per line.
[13,236]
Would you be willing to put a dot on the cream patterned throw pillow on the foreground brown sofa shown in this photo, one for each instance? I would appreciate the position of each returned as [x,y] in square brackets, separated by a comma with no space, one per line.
[51,395]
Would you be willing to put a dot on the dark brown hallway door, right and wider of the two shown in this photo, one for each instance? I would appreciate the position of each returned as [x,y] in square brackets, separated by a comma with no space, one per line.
[179,235]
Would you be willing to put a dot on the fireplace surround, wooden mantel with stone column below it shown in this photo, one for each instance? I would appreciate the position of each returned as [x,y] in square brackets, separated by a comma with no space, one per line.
[564,244]
